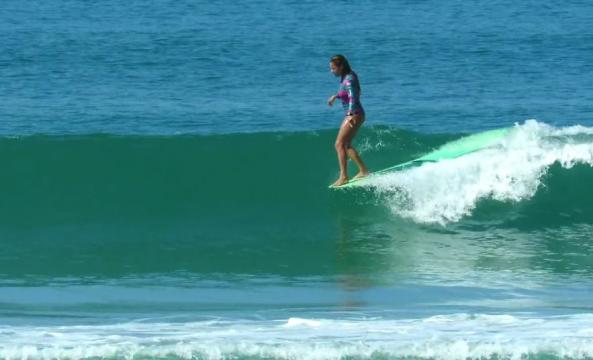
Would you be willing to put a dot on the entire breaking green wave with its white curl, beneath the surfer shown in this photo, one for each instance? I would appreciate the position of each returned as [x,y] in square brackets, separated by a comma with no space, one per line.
[224,203]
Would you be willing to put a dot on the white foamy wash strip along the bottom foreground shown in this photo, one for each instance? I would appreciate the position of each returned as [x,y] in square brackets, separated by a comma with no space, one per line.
[453,337]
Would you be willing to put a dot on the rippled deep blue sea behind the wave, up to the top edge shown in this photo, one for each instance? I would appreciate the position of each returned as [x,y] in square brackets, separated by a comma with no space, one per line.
[164,67]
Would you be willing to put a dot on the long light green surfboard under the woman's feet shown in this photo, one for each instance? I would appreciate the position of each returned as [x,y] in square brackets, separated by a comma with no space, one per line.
[451,150]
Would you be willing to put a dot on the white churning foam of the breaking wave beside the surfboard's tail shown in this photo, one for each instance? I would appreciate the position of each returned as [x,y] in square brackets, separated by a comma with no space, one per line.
[510,171]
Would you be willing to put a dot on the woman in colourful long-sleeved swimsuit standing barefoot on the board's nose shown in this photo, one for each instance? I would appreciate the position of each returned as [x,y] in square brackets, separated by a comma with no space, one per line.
[349,94]
